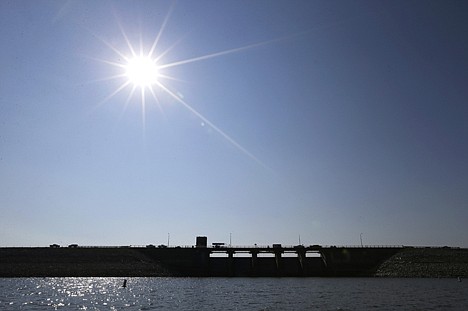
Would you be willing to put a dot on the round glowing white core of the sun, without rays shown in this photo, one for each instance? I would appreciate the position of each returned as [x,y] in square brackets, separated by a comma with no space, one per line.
[141,71]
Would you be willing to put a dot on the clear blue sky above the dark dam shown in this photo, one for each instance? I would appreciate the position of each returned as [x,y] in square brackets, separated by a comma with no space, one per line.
[312,122]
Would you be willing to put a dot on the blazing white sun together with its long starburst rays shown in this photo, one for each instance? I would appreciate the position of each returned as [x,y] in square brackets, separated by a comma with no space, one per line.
[143,74]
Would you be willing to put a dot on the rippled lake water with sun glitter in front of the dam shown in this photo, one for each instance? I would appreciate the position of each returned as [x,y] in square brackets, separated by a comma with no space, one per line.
[232,294]
